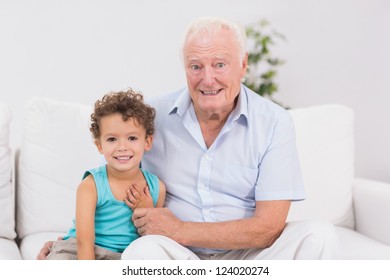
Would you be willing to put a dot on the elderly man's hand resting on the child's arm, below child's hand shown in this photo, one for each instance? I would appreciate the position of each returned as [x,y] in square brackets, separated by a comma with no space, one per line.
[158,221]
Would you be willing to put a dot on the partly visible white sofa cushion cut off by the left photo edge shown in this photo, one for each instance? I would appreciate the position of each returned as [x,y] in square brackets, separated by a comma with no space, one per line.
[7,198]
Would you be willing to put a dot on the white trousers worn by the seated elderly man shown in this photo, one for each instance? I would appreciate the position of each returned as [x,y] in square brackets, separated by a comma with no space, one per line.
[304,240]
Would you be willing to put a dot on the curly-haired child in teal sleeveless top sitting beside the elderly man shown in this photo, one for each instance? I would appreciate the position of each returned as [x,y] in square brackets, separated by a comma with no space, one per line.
[122,127]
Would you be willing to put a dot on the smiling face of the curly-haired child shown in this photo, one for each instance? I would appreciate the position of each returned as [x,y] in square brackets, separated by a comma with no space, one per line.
[122,142]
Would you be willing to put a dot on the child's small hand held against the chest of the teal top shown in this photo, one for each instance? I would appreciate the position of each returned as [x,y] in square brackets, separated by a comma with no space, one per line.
[138,197]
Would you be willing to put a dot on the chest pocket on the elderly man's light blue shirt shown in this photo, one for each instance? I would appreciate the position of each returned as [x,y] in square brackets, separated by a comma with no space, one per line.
[239,184]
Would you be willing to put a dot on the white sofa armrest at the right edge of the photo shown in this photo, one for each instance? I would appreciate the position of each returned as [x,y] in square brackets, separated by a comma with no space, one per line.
[372,209]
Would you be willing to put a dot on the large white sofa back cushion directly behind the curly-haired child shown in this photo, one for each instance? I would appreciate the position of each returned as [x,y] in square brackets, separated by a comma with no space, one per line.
[56,149]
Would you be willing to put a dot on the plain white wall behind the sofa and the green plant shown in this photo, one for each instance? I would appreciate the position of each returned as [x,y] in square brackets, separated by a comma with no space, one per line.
[336,51]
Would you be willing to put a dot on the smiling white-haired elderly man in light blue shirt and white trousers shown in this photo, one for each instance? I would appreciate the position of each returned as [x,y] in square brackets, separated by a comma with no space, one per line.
[228,158]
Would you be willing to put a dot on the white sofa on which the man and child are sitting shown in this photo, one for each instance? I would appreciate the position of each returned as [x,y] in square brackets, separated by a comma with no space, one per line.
[57,148]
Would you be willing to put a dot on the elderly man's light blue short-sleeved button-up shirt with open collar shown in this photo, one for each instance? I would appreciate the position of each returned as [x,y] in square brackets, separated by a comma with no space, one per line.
[254,158]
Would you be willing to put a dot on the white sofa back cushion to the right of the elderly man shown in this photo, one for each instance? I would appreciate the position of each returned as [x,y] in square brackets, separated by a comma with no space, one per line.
[326,149]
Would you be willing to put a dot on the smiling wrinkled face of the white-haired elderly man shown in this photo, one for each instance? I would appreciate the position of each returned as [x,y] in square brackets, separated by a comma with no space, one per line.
[214,67]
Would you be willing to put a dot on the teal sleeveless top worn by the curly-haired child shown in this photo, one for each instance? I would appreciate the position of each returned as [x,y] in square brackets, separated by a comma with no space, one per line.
[114,229]
